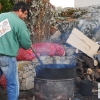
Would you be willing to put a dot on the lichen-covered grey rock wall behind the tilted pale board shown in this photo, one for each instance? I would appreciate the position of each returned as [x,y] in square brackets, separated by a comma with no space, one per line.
[86,19]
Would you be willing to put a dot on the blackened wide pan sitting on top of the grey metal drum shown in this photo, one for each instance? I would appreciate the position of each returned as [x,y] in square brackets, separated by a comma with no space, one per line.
[55,71]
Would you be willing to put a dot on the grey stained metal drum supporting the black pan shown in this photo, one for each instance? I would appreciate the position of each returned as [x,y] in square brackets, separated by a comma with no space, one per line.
[62,89]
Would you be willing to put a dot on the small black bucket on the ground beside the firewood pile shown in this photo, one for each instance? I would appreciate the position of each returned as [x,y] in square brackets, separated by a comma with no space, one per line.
[86,87]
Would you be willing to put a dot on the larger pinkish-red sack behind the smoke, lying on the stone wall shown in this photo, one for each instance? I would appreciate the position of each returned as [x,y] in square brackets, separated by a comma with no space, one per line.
[49,49]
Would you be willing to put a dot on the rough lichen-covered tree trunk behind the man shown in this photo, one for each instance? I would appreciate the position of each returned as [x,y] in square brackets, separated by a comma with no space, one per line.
[41,11]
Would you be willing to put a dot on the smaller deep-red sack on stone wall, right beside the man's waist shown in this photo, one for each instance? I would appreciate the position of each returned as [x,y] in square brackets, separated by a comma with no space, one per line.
[25,55]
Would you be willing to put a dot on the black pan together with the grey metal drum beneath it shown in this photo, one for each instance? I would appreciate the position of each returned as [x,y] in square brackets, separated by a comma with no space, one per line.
[54,82]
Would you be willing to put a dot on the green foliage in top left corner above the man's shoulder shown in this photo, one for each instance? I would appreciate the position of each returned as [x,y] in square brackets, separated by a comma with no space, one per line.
[6,5]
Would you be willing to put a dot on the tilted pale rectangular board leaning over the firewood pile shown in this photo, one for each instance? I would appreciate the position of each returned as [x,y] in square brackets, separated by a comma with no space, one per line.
[83,43]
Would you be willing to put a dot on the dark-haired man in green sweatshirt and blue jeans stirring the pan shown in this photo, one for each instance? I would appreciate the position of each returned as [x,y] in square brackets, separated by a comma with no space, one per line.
[13,34]
